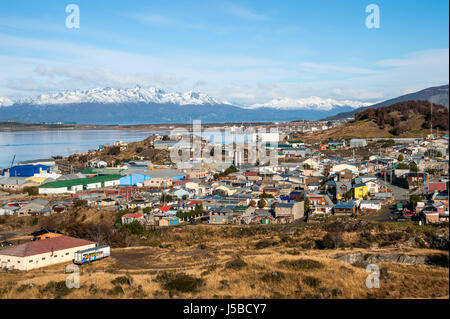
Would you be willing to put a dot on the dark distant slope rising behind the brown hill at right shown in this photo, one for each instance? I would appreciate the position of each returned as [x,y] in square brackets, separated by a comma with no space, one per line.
[437,95]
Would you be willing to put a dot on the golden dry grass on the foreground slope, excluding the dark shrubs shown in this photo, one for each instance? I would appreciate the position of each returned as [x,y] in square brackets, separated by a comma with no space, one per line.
[265,274]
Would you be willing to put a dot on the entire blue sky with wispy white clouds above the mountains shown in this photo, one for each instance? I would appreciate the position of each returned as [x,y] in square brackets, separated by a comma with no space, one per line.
[244,52]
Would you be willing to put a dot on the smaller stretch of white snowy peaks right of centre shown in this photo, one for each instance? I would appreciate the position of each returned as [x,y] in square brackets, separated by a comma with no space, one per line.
[311,103]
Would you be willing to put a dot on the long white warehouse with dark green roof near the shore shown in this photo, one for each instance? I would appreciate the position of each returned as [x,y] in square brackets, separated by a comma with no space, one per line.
[79,184]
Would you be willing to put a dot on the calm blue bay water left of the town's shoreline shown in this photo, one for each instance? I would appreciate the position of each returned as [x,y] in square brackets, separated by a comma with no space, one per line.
[29,145]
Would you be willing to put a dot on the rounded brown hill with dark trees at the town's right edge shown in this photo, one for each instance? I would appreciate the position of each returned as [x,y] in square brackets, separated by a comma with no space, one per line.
[403,119]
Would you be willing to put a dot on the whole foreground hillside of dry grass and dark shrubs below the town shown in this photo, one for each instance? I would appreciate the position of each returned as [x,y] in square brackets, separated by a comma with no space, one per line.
[269,261]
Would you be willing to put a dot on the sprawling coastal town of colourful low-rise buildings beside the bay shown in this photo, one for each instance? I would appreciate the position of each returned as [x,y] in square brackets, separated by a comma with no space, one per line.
[384,180]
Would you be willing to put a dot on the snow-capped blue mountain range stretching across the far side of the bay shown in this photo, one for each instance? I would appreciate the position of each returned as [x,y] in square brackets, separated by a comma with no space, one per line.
[141,105]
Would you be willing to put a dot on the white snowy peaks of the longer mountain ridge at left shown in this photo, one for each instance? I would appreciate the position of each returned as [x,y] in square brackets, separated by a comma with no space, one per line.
[118,96]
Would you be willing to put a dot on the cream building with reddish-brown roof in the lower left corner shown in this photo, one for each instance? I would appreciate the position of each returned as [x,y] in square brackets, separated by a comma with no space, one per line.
[42,253]
